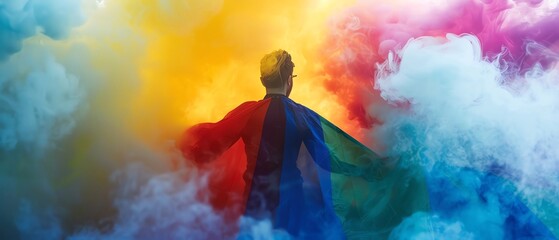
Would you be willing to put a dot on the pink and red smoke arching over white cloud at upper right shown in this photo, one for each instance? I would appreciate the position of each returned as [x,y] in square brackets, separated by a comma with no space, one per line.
[363,35]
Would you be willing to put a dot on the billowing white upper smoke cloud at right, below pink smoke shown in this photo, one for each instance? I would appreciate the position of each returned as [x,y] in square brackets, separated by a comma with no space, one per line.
[466,110]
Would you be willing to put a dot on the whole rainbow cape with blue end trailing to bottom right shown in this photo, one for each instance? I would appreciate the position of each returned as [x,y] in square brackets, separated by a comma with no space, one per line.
[278,160]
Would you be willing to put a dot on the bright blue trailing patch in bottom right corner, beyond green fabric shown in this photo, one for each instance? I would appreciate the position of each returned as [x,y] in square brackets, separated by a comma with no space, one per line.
[486,204]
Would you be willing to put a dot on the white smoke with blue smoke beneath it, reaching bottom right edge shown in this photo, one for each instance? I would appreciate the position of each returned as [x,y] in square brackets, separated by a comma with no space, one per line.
[458,110]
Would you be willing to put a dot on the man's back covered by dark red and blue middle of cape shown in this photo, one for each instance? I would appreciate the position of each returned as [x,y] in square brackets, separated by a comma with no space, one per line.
[281,178]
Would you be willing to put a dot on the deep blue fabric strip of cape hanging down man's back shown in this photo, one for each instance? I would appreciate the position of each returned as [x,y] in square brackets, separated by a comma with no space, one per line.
[305,209]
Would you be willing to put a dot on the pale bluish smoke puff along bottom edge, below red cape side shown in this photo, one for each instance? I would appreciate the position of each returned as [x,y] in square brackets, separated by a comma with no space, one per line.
[171,205]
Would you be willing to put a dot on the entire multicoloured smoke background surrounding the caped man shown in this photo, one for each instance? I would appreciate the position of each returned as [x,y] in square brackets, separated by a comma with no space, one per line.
[93,93]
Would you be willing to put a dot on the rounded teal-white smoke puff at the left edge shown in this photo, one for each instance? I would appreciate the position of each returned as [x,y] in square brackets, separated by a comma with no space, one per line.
[39,100]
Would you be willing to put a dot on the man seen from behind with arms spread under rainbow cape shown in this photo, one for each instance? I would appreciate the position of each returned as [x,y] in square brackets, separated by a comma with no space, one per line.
[278,160]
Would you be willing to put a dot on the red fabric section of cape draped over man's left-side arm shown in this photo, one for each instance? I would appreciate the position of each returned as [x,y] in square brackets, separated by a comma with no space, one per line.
[221,149]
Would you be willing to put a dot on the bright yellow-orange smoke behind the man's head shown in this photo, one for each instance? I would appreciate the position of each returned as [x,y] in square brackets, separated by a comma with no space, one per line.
[202,57]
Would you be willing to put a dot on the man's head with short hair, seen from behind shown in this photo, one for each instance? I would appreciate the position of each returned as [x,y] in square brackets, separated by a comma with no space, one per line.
[276,71]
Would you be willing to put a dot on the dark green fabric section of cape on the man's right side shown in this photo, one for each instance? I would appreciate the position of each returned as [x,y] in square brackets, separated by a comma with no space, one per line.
[371,195]
